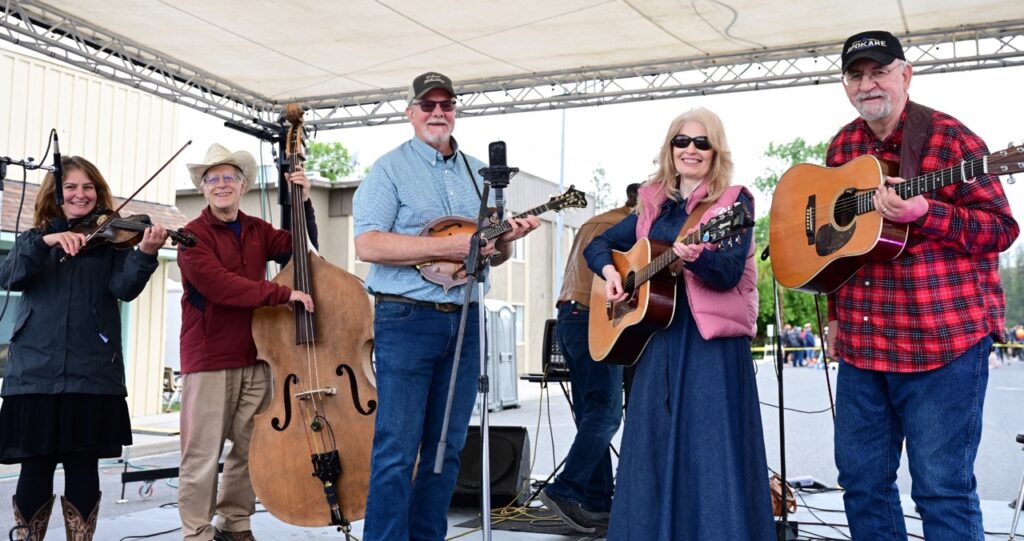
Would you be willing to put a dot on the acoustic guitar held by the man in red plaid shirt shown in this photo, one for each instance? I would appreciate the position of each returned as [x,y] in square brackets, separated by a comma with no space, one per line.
[825,227]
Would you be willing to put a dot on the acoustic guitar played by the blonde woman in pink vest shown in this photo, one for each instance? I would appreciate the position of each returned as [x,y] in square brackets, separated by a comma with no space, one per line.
[620,331]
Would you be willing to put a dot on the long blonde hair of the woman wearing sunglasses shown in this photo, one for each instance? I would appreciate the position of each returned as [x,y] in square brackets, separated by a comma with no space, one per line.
[720,175]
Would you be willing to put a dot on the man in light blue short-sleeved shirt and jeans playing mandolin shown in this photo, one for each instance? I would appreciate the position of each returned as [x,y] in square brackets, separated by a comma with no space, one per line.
[416,321]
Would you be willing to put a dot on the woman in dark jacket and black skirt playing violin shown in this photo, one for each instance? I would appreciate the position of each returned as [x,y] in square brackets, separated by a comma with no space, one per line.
[64,393]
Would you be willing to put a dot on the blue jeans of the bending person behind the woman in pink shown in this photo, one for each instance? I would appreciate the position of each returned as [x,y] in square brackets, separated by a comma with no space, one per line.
[598,405]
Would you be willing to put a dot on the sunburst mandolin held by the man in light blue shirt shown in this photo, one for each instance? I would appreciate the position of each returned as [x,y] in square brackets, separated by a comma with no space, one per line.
[449,274]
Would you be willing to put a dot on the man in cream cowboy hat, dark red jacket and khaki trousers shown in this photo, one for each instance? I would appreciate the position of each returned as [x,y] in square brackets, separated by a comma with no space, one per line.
[224,280]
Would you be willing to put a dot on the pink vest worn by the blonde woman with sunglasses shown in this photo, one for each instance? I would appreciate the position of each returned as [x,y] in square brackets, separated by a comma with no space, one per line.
[718,314]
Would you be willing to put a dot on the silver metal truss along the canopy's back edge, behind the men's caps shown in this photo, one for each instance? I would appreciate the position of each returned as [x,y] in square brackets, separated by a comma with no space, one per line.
[964,49]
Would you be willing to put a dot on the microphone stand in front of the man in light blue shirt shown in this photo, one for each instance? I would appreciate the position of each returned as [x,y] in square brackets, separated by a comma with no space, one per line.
[477,269]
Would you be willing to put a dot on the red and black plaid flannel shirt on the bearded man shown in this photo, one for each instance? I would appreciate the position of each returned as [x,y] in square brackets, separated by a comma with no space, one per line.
[943,295]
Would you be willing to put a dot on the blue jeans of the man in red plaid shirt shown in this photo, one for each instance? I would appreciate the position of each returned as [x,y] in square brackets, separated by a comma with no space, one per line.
[938,413]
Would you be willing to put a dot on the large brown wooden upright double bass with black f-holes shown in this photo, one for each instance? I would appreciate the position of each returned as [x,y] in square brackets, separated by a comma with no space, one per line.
[310,457]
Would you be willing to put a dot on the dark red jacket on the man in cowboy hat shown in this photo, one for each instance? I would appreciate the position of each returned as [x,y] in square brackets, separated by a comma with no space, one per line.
[225,279]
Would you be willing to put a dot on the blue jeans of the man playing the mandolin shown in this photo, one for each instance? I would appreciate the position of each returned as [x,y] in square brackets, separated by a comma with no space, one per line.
[414,349]
